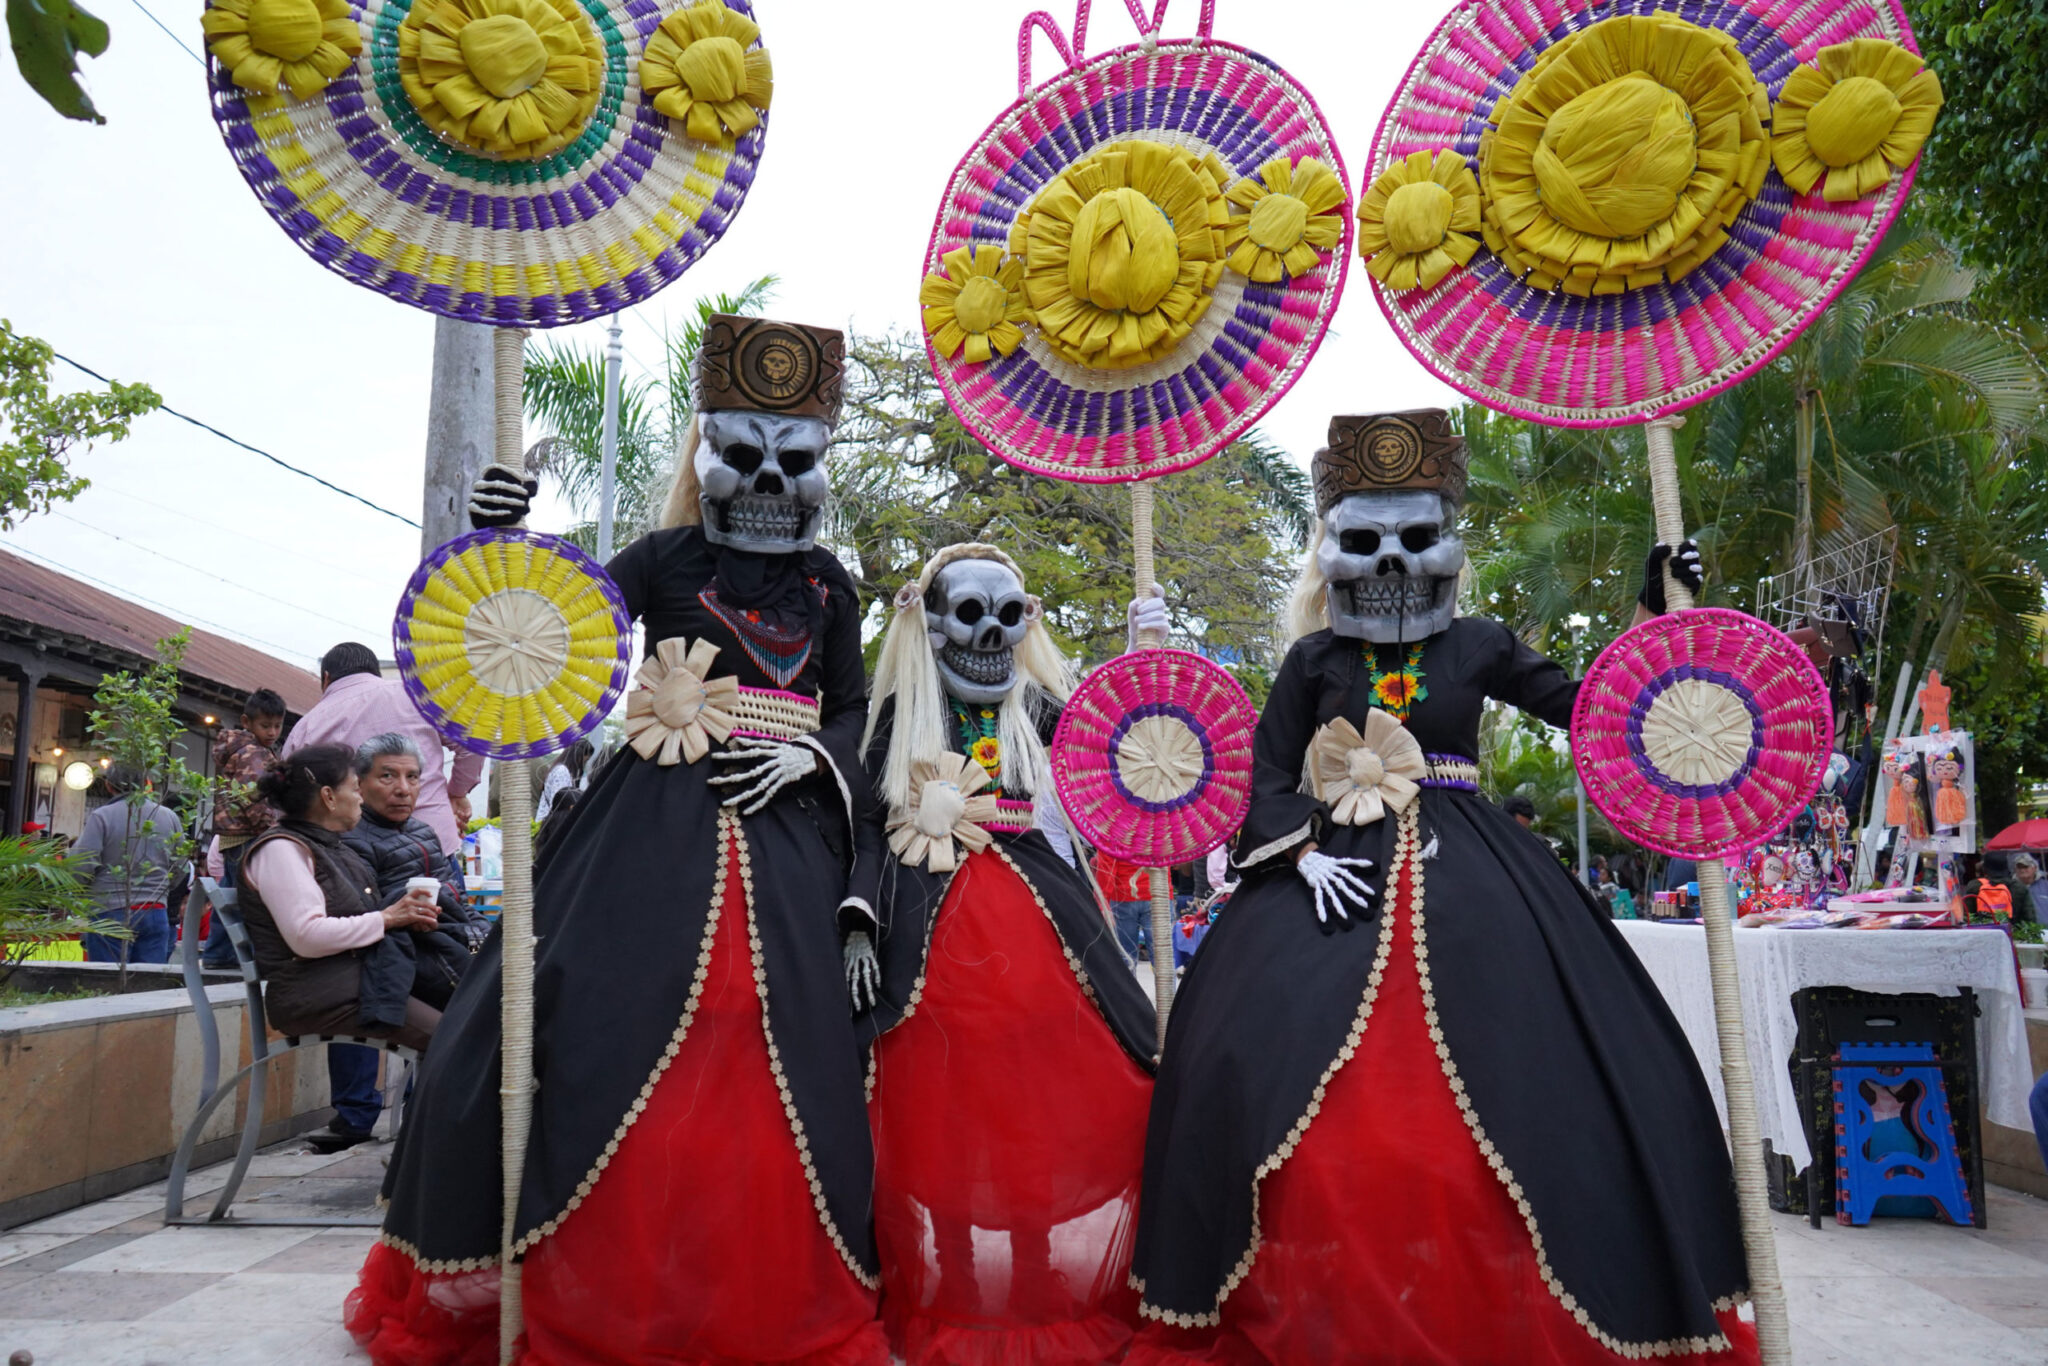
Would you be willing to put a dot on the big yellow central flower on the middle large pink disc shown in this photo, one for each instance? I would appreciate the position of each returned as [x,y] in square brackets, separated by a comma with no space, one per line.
[1121,253]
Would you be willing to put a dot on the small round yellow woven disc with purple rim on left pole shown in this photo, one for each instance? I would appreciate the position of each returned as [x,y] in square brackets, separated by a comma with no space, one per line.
[513,644]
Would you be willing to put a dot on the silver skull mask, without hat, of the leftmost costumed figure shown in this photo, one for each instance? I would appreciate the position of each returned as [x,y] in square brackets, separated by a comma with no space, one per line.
[763,480]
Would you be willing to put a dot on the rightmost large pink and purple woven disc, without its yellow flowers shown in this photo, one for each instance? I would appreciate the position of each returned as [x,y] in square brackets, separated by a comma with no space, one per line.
[1621,359]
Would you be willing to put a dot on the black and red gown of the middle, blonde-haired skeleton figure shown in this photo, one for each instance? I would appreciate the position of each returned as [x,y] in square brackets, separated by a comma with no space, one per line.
[1011,1060]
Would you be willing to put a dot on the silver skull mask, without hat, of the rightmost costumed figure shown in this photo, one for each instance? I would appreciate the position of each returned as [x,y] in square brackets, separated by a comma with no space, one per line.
[1394,566]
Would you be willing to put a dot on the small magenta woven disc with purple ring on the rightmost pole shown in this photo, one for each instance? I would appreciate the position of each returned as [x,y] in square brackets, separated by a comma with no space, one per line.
[1703,732]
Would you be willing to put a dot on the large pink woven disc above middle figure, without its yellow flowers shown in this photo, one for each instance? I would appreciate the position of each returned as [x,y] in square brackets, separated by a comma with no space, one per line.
[1070,421]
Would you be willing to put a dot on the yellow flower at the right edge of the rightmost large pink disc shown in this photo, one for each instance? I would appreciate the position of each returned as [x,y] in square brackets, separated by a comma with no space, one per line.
[1852,116]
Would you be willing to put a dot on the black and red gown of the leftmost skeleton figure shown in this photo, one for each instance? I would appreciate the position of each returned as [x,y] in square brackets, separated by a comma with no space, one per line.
[699,1164]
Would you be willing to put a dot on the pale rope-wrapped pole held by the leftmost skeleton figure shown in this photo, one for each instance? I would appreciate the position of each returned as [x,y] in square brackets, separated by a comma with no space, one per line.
[515,820]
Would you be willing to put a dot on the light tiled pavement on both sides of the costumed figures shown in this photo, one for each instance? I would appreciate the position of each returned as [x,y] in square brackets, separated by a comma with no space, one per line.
[108,1285]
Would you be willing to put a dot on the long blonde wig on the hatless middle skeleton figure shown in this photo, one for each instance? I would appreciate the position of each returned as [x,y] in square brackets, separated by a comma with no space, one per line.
[908,671]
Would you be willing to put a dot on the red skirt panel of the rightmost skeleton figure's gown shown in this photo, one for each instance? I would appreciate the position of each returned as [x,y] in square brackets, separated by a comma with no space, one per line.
[1388,1238]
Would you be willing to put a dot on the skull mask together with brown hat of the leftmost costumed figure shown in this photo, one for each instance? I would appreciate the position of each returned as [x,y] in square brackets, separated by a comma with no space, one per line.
[767,396]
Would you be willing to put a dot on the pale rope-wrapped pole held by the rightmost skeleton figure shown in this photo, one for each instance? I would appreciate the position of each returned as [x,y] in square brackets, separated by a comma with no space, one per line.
[1746,1142]
